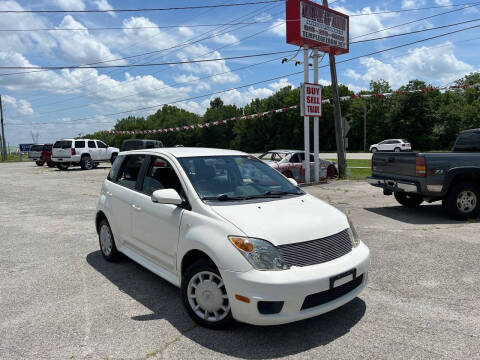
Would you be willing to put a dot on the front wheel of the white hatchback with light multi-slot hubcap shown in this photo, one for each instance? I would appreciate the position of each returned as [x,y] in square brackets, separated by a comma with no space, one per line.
[204,295]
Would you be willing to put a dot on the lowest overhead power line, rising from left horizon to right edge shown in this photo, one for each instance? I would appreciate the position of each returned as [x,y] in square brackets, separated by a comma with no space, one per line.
[251,84]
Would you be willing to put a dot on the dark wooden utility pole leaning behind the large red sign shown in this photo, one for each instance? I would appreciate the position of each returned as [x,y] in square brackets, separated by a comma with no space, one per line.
[337,114]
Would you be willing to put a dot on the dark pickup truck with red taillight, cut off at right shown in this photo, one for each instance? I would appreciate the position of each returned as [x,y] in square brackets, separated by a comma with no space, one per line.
[452,177]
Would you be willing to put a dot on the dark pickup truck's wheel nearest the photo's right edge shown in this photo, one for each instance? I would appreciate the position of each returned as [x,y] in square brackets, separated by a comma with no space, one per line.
[463,201]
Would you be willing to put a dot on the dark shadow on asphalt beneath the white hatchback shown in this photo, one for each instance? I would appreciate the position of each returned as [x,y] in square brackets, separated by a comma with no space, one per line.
[240,340]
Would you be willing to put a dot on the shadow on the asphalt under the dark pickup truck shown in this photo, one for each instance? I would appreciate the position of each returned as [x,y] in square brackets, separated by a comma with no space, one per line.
[422,215]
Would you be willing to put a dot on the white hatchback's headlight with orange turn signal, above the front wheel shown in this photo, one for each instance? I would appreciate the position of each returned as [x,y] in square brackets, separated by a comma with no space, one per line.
[260,253]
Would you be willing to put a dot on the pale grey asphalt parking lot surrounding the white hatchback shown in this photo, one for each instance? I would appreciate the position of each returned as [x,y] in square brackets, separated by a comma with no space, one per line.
[60,300]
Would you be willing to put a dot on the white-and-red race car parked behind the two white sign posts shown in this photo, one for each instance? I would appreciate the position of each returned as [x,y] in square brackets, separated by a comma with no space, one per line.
[290,164]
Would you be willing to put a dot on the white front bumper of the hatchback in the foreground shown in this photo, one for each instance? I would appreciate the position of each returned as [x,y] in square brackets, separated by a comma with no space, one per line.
[292,287]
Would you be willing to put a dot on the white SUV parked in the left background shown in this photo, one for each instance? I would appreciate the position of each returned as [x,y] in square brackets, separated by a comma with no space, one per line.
[87,153]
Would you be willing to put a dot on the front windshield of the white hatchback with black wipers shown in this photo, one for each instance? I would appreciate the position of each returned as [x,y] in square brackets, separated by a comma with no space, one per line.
[236,178]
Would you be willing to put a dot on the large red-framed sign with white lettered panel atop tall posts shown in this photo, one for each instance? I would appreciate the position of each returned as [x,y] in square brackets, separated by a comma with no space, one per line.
[315,26]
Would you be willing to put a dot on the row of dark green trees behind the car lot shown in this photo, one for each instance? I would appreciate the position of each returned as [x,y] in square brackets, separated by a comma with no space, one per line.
[430,120]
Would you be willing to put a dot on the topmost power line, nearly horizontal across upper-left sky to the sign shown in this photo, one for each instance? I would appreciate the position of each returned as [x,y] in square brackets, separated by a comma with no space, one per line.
[141,10]
